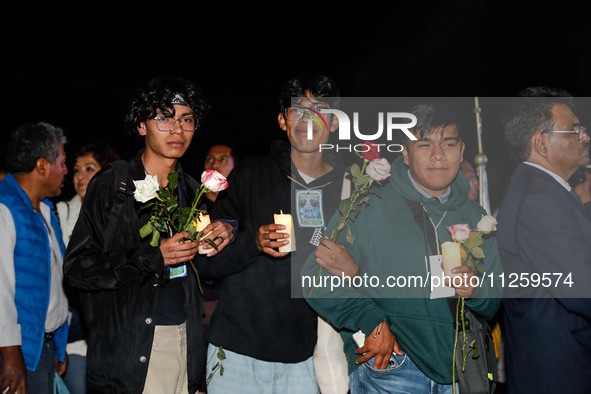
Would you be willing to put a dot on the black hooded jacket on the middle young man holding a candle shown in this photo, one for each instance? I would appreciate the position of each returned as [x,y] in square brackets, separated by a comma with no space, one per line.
[261,314]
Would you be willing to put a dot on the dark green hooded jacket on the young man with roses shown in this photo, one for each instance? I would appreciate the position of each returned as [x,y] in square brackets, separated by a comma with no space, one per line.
[388,242]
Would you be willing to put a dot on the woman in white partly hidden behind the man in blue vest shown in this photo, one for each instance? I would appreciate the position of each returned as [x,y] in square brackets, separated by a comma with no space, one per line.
[88,160]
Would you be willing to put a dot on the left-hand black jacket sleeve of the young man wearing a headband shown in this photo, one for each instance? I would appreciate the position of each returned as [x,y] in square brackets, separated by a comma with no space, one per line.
[87,264]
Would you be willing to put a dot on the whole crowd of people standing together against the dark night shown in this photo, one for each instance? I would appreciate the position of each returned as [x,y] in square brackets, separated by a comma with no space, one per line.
[99,294]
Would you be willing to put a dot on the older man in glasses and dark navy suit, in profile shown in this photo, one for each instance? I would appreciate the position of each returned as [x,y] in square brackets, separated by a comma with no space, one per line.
[544,240]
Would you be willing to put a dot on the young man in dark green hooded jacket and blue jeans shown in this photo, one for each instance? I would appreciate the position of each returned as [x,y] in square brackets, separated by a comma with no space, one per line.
[408,329]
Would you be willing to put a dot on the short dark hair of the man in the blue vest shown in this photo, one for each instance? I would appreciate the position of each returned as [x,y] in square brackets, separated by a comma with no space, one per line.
[30,142]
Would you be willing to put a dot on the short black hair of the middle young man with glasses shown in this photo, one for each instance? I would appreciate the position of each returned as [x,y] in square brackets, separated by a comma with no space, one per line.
[317,85]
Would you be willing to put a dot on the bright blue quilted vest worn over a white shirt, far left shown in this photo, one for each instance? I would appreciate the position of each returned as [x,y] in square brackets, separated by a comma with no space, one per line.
[32,265]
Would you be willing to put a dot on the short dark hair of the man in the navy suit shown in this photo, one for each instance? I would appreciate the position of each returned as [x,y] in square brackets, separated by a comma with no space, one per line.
[530,113]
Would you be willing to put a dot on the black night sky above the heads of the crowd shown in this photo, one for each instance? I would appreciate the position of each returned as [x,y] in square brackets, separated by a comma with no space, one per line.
[77,70]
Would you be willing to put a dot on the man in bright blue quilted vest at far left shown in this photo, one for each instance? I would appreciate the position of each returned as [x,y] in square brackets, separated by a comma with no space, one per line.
[33,305]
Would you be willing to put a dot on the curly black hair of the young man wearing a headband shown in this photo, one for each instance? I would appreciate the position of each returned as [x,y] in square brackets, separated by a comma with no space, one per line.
[158,93]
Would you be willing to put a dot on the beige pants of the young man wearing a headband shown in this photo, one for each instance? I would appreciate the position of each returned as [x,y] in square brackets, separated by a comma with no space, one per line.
[167,371]
